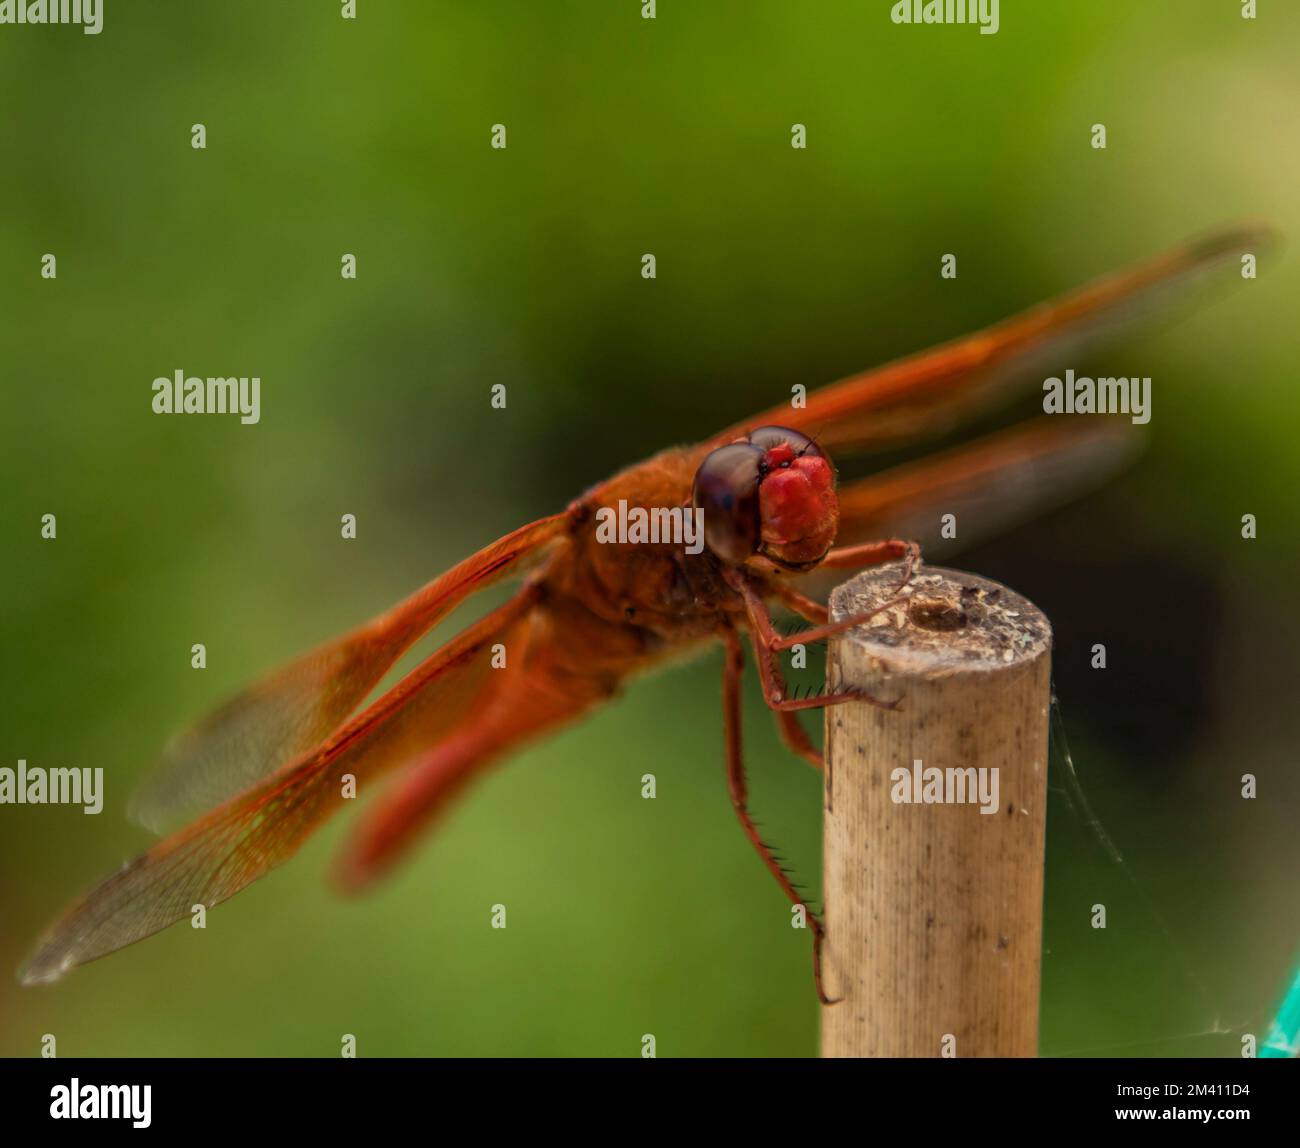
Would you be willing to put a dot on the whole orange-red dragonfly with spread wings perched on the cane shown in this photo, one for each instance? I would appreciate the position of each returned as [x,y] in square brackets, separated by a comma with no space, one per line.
[276,761]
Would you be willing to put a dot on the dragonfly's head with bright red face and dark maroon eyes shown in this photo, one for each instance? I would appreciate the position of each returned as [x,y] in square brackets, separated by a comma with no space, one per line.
[772,496]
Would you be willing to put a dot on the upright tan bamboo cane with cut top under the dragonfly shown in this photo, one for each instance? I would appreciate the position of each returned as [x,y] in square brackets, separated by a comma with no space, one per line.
[934,908]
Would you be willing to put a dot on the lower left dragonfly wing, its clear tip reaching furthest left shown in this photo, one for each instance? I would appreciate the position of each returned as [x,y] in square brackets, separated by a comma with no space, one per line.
[246,838]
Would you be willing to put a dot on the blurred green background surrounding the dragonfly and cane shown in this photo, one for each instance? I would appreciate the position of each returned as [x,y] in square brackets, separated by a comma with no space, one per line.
[522,267]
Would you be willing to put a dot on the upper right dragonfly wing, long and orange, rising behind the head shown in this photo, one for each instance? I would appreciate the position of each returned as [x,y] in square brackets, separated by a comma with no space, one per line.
[933,392]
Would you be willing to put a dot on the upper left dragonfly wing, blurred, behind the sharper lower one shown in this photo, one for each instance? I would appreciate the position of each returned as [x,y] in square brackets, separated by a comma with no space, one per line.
[296,709]
